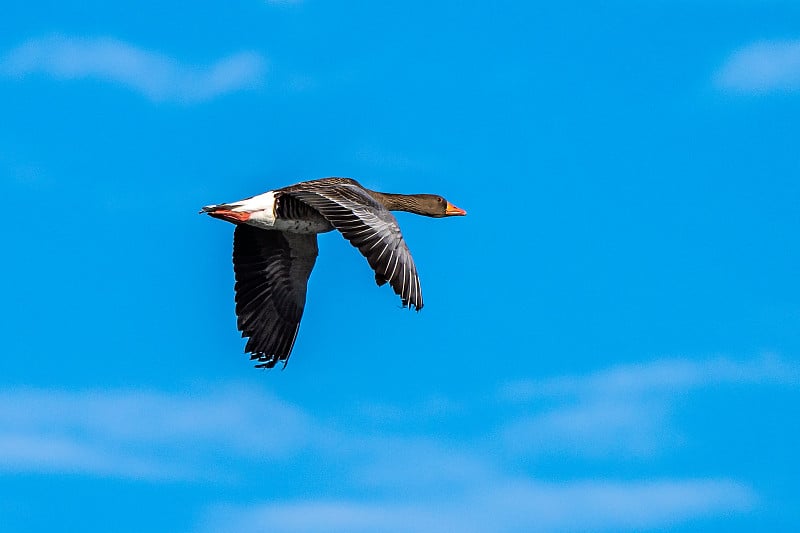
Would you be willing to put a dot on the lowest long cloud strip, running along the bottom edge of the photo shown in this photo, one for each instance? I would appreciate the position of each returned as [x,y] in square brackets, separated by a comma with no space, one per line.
[502,505]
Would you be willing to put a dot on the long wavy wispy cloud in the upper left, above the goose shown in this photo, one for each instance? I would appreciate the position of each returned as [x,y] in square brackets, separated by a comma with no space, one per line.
[157,76]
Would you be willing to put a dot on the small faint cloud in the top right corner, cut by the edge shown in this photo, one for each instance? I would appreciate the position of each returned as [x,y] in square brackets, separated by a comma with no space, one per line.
[762,67]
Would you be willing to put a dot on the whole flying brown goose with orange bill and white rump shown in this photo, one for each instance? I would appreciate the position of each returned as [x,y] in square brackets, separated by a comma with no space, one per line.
[275,248]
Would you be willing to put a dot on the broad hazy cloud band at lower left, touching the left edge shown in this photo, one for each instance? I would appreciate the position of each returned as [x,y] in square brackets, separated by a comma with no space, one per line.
[143,434]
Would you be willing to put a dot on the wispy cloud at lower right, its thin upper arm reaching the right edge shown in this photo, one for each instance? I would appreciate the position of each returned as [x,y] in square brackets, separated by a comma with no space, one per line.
[625,410]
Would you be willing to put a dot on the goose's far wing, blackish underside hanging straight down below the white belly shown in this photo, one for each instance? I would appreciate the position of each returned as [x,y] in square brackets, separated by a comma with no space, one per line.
[272,270]
